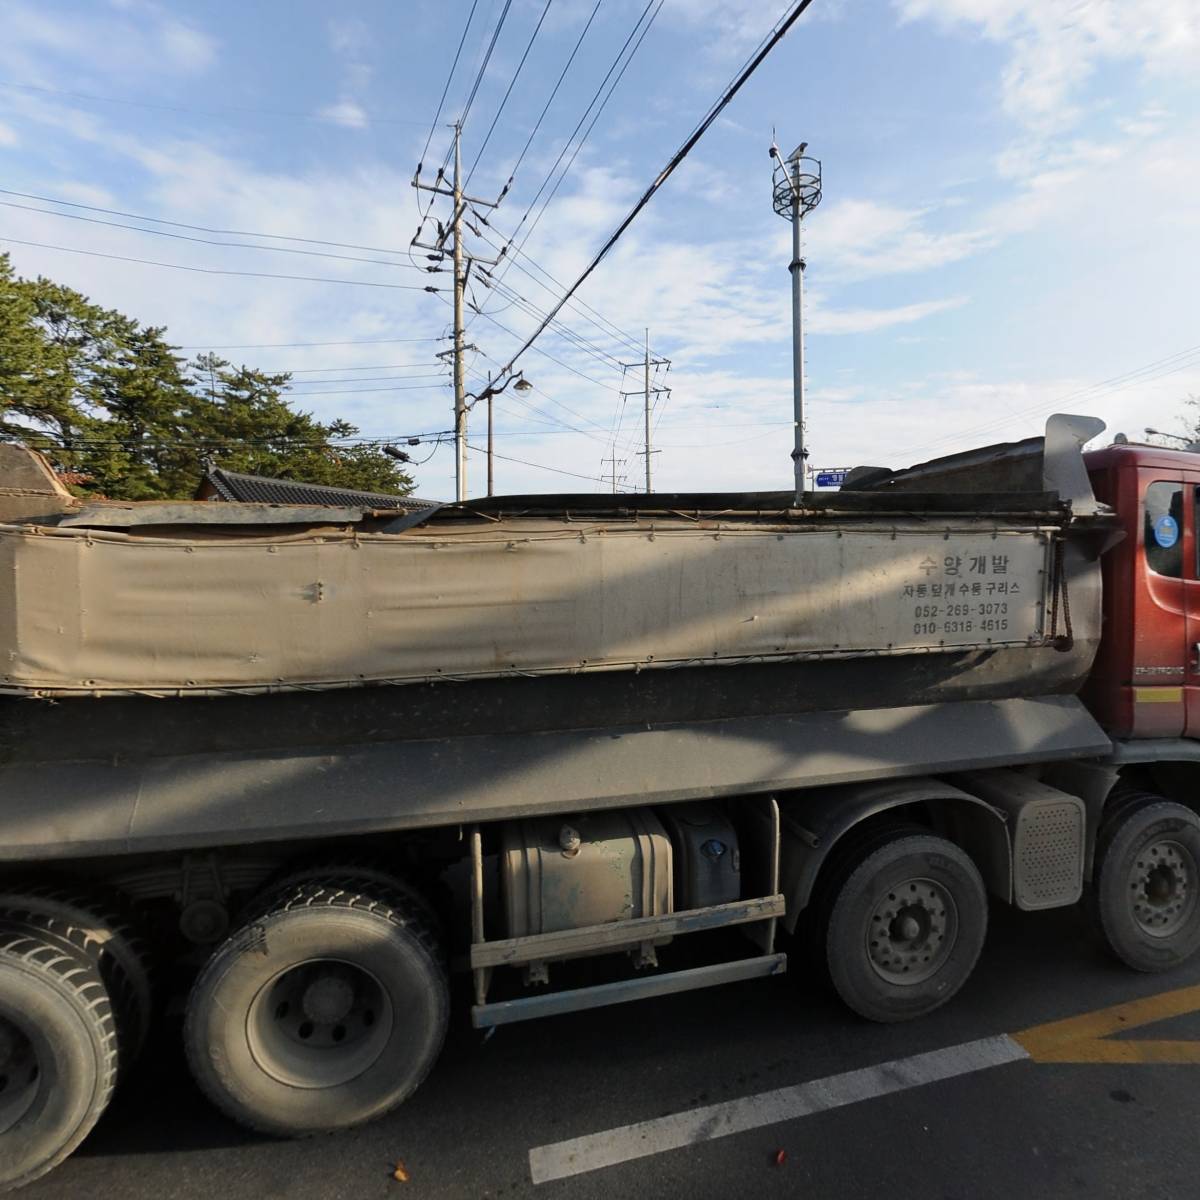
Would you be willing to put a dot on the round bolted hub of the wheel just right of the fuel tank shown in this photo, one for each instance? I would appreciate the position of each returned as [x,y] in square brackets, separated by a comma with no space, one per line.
[911,932]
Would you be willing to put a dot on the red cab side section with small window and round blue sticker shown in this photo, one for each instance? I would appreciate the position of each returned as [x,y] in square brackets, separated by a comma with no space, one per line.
[1165,585]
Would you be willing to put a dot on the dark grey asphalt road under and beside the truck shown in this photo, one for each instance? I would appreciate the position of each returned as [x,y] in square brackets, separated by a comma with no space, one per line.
[1027,1130]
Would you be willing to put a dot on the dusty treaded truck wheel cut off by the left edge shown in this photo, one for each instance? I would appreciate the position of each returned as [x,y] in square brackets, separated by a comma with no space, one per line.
[58,1053]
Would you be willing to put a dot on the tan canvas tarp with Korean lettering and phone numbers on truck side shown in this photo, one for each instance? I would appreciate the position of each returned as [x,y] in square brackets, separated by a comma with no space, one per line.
[89,611]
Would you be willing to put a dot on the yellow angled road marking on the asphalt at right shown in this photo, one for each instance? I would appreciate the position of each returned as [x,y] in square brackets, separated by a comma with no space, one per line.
[1088,1037]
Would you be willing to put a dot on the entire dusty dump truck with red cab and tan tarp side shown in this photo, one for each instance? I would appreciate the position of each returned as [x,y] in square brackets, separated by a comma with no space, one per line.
[328,752]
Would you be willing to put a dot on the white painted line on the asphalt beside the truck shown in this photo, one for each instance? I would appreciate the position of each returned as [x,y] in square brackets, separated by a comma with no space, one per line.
[595,1151]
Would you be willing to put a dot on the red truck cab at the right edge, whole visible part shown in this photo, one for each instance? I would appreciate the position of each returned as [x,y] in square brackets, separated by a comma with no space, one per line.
[1147,679]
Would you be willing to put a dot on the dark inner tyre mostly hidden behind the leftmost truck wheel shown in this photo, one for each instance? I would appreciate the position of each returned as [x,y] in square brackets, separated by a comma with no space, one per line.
[106,934]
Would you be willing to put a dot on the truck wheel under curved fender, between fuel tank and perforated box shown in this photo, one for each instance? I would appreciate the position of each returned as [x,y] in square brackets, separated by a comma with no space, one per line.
[905,928]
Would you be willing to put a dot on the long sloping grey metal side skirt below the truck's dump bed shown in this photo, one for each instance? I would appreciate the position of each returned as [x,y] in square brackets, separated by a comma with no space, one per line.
[74,809]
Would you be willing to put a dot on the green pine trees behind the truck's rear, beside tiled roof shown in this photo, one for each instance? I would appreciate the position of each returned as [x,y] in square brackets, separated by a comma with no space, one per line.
[104,395]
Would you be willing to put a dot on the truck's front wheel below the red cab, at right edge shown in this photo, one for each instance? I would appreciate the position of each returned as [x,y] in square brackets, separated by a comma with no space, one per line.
[1147,885]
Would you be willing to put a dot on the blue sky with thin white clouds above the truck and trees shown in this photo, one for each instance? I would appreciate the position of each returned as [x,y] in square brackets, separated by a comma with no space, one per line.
[1010,224]
